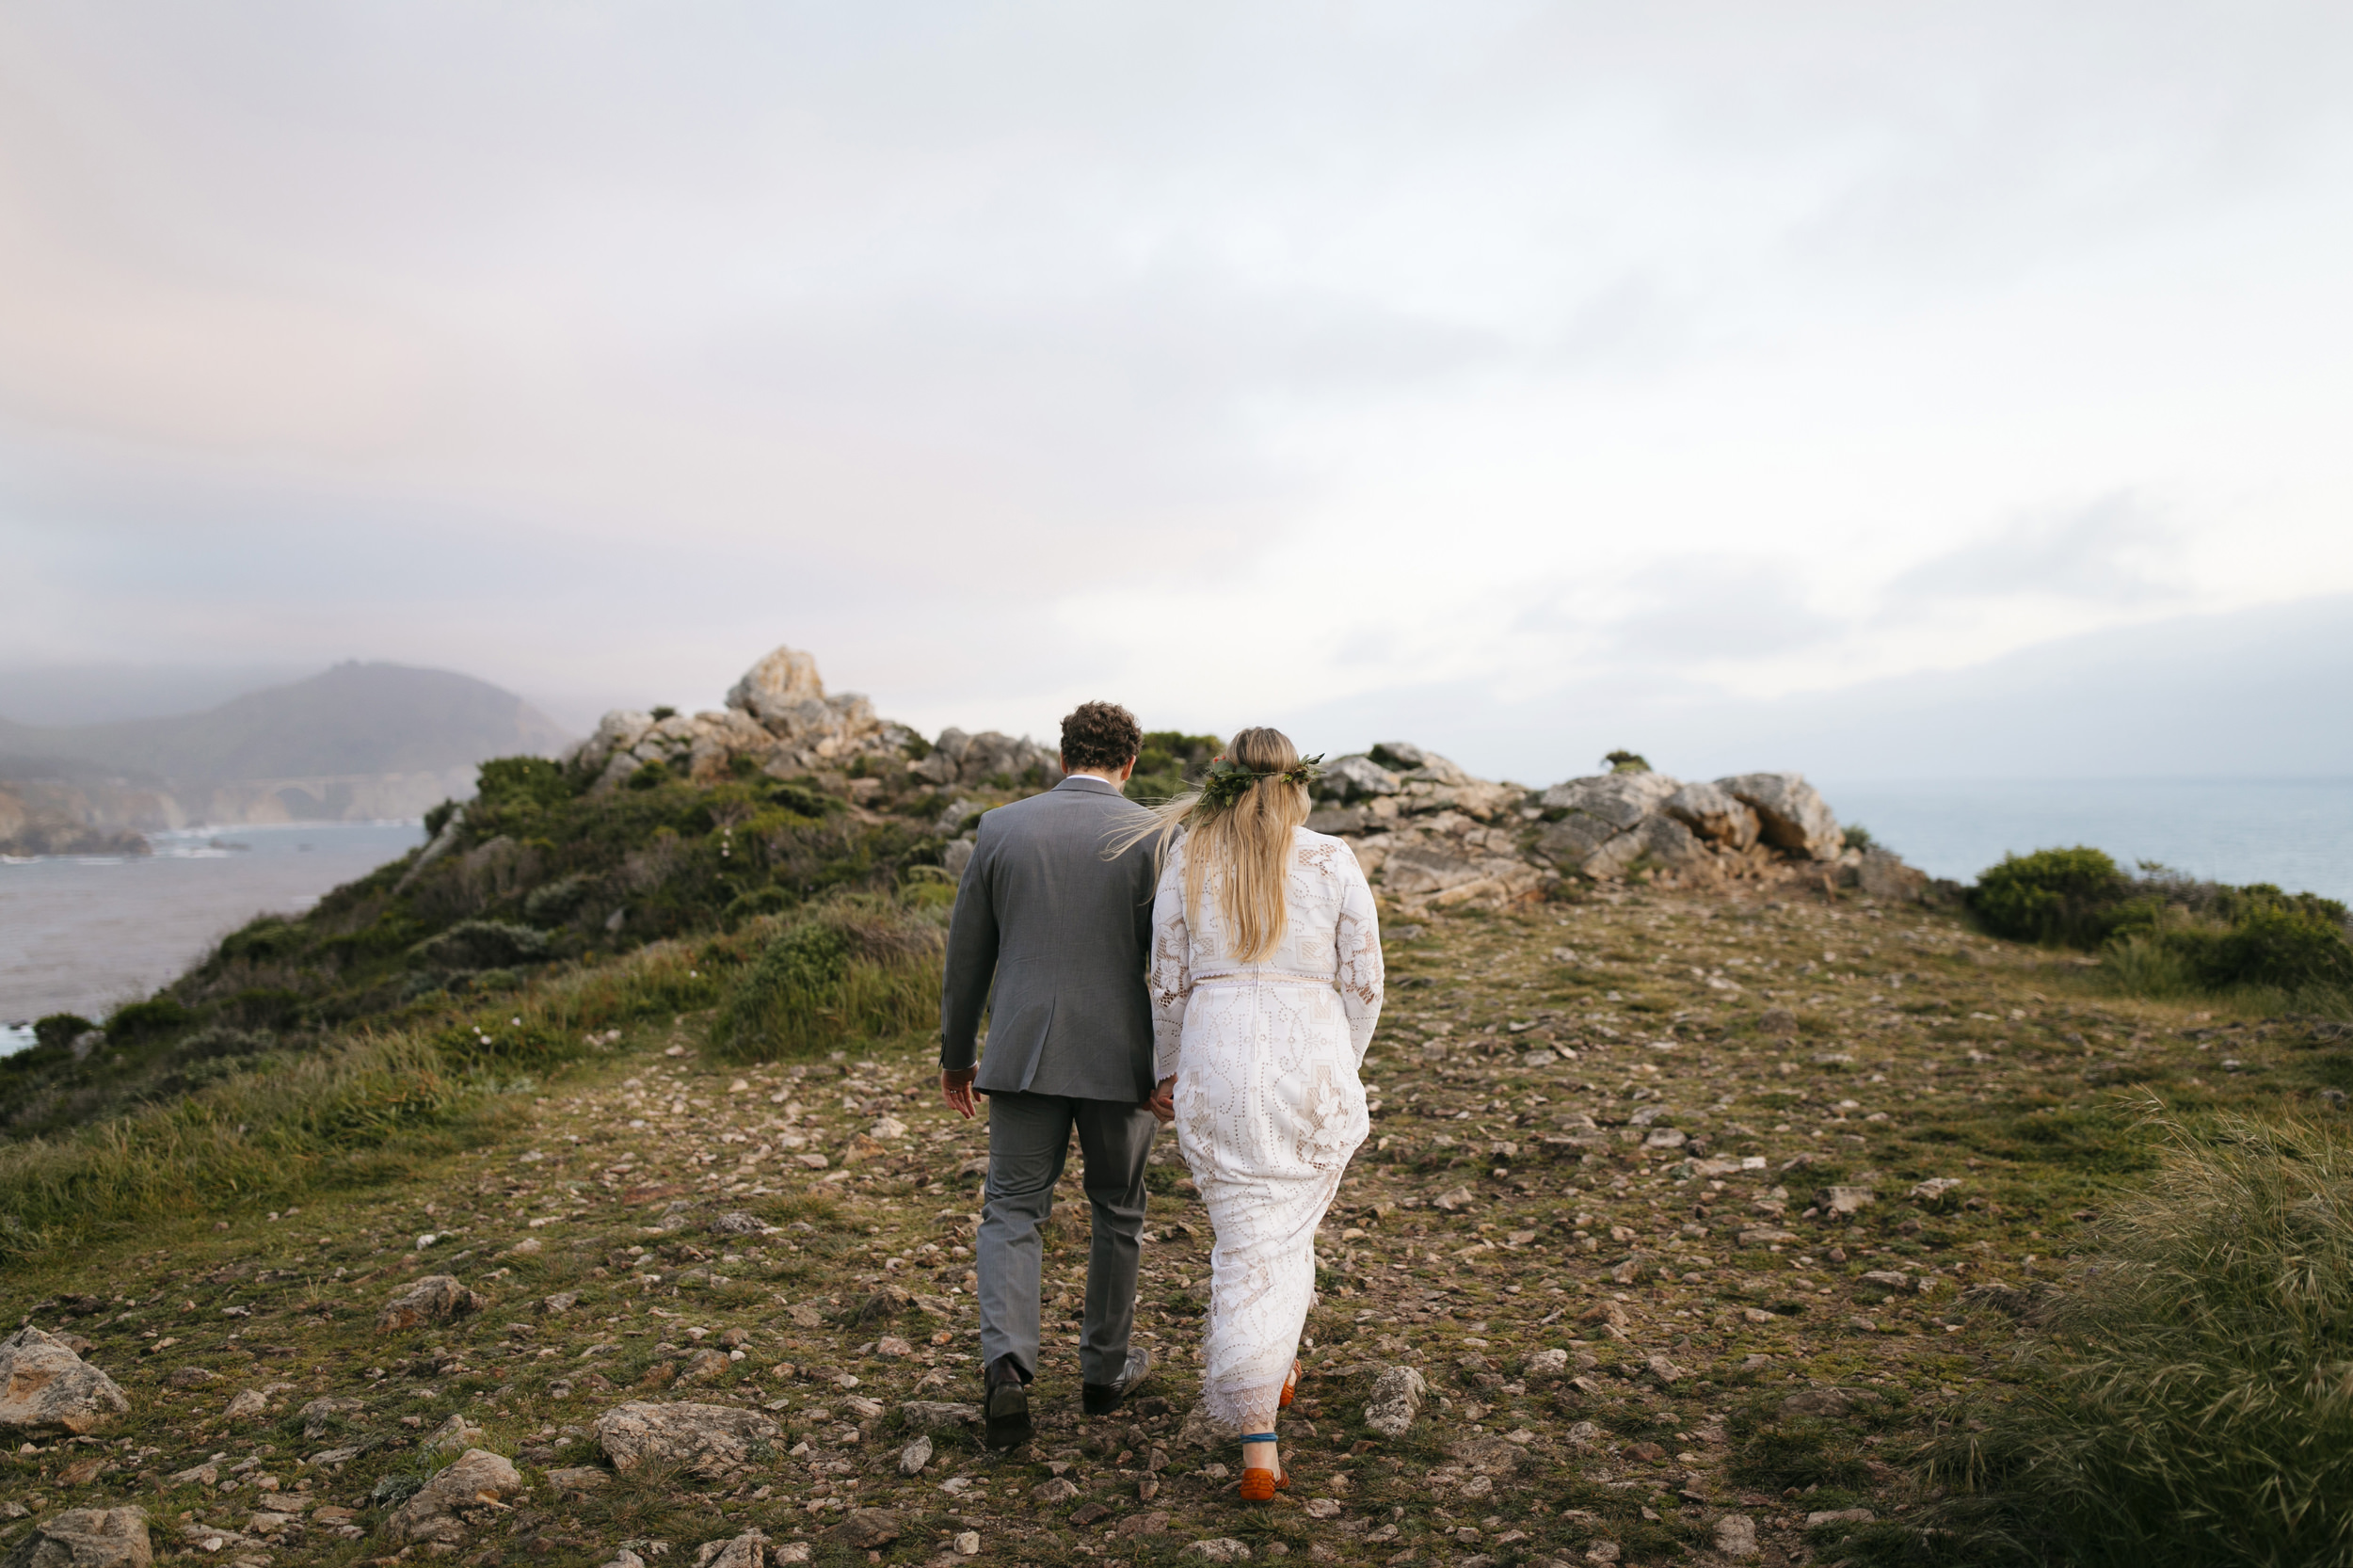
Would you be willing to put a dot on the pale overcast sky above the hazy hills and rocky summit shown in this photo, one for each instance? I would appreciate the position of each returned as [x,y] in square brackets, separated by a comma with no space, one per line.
[1234,361]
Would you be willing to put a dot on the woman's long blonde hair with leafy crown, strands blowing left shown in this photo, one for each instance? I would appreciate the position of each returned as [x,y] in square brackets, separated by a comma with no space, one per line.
[1248,846]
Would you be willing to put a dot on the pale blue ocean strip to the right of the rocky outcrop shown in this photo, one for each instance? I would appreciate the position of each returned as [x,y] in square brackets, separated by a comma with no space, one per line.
[2288,832]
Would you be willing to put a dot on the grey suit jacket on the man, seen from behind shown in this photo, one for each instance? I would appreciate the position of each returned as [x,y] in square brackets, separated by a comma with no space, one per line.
[1062,934]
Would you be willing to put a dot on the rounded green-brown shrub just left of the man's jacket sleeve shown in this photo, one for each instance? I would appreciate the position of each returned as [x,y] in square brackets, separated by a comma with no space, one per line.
[851,969]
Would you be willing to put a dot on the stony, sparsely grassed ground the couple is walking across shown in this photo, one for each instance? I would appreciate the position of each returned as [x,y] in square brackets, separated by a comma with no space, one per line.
[1684,1218]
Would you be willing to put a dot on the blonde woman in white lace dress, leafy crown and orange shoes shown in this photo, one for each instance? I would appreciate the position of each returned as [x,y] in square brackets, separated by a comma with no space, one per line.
[1267,985]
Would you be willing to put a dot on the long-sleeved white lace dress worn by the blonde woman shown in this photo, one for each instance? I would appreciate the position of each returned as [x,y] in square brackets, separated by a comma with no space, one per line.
[1269,1103]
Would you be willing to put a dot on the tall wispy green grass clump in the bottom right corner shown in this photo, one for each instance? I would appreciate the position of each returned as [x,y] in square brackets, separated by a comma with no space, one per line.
[2189,1393]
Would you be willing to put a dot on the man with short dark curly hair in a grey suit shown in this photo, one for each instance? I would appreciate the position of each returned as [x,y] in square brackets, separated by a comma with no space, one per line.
[1062,934]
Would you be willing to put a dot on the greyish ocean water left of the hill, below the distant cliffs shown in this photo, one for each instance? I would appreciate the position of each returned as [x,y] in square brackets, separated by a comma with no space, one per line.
[86,934]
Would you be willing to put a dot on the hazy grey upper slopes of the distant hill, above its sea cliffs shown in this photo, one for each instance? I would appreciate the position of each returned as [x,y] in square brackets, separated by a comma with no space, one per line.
[354,719]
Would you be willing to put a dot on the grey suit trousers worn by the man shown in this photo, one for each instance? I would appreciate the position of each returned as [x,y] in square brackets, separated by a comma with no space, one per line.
[1029,1136]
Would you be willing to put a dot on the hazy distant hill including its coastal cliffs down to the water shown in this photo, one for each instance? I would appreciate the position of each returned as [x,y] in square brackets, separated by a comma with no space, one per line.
[354,743]
